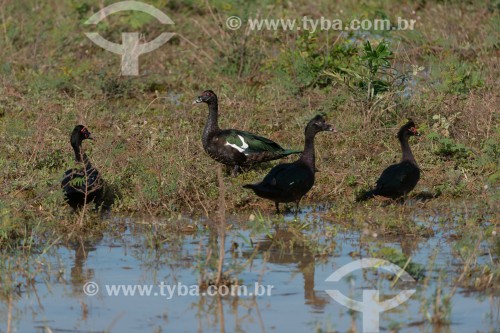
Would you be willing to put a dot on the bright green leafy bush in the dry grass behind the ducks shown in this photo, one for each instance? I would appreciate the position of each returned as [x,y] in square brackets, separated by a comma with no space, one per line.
[365,68]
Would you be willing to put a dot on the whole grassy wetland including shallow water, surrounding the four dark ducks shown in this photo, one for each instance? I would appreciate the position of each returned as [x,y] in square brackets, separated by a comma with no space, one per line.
[180,218]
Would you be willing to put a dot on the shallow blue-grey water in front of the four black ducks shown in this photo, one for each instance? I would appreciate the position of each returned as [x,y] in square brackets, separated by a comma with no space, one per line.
[287,264]
